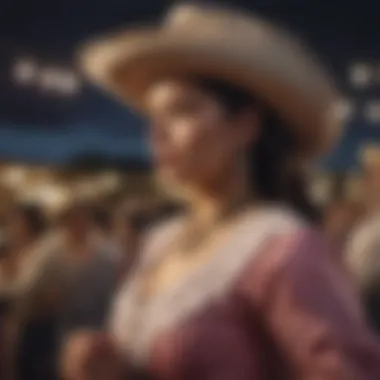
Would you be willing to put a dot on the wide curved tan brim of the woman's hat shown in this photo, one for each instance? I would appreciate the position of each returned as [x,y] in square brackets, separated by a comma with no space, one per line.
[127,64]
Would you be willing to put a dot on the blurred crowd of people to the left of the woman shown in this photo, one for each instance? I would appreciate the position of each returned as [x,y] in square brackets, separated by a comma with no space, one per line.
[57,276]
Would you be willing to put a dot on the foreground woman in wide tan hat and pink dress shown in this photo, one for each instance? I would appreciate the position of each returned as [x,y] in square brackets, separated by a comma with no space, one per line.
[242,285]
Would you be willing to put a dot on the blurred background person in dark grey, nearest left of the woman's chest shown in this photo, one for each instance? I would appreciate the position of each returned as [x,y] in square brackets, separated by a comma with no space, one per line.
[88,269]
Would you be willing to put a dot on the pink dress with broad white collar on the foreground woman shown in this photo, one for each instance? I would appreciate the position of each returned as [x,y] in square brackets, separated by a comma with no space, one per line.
[270,305]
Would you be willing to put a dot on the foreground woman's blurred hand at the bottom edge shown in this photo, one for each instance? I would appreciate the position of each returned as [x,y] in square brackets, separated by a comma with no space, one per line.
[90,355]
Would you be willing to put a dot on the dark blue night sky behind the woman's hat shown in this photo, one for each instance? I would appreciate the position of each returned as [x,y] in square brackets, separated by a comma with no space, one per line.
[40,127]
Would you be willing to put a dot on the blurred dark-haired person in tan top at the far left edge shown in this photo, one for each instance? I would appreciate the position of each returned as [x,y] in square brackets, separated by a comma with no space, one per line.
[24,286]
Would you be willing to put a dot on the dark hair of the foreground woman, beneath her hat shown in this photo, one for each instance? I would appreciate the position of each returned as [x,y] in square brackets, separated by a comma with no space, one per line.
[273,174]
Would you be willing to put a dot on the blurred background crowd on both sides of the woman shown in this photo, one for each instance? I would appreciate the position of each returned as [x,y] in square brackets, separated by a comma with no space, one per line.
[60,276]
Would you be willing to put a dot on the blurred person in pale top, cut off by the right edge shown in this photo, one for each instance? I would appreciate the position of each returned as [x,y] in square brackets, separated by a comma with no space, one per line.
[363,250]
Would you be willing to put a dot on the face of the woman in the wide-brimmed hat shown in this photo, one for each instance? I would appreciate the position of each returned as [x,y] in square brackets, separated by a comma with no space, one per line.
[194,140]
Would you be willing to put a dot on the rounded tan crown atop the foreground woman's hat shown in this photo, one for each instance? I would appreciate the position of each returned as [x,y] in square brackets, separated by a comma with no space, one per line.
[241,31]
